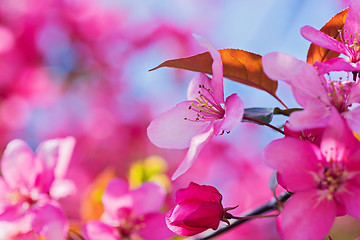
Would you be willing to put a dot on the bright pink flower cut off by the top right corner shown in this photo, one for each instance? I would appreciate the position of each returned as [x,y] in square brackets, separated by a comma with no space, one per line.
[349,44]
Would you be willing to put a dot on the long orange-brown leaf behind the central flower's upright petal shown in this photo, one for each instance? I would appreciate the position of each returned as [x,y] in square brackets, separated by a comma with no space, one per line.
[239,65]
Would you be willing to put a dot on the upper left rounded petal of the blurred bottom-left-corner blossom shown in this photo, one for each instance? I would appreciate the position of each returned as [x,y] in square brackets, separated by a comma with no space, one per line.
[16,161]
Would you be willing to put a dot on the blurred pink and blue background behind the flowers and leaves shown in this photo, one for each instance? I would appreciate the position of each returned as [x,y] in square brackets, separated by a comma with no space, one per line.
[80,68]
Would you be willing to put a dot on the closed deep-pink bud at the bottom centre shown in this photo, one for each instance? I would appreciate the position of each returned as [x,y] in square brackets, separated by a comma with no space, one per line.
[198,208]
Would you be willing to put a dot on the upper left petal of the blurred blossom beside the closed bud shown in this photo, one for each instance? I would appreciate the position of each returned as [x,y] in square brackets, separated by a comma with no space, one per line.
[116,196]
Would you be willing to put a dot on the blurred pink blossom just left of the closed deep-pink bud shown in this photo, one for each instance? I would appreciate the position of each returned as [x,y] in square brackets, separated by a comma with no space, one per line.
[130,213]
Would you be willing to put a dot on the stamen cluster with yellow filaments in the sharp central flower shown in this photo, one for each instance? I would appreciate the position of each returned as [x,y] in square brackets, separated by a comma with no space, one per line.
[207,108]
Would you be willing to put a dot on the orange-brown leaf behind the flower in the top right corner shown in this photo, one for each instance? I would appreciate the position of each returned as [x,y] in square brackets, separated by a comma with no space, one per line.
[331,28]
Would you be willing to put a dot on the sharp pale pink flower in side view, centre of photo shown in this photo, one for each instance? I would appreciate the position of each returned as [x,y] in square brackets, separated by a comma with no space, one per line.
[195,122]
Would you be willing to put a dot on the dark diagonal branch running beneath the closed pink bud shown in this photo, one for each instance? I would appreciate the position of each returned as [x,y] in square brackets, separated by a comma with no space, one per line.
[267,207]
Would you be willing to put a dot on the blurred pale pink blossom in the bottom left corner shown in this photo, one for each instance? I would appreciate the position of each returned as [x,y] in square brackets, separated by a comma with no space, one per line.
[29,183]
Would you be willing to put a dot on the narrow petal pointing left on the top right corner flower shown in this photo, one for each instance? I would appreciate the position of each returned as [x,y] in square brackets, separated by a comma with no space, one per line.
[321,39]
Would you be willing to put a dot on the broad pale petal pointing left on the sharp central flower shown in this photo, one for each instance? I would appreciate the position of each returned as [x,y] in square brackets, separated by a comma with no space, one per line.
[171,130]
